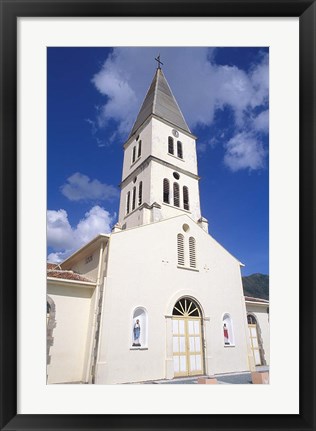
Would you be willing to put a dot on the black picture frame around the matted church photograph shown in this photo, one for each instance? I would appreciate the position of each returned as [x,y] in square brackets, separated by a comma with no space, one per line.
[10,11]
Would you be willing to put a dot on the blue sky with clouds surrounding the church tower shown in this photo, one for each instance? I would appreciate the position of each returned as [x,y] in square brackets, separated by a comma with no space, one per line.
[94,95]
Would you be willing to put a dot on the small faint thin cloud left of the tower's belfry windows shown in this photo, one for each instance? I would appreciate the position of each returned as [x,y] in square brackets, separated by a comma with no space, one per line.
[80,187]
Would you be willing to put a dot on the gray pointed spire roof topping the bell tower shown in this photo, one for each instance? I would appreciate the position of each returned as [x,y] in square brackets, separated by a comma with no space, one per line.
[160,101]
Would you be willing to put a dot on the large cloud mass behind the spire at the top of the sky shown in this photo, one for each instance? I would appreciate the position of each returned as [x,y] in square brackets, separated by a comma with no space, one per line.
[126,74]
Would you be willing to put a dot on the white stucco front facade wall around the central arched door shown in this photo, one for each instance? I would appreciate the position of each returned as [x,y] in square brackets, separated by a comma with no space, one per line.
[143,272]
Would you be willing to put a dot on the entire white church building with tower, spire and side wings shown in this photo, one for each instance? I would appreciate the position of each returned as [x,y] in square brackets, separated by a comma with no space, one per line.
[159,297]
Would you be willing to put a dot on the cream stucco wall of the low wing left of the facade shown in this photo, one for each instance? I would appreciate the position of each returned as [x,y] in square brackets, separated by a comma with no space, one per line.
[74,305]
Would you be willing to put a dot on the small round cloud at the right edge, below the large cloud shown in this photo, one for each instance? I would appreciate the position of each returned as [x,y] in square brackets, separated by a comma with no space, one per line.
[244,151]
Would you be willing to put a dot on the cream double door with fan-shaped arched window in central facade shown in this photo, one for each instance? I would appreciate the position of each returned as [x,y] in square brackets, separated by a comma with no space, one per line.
[187,339]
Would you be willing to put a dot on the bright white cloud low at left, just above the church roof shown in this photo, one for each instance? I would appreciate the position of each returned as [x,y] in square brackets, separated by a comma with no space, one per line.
[65,239]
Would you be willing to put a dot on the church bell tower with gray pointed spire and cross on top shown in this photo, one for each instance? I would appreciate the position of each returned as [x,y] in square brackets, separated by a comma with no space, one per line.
[160,178]
